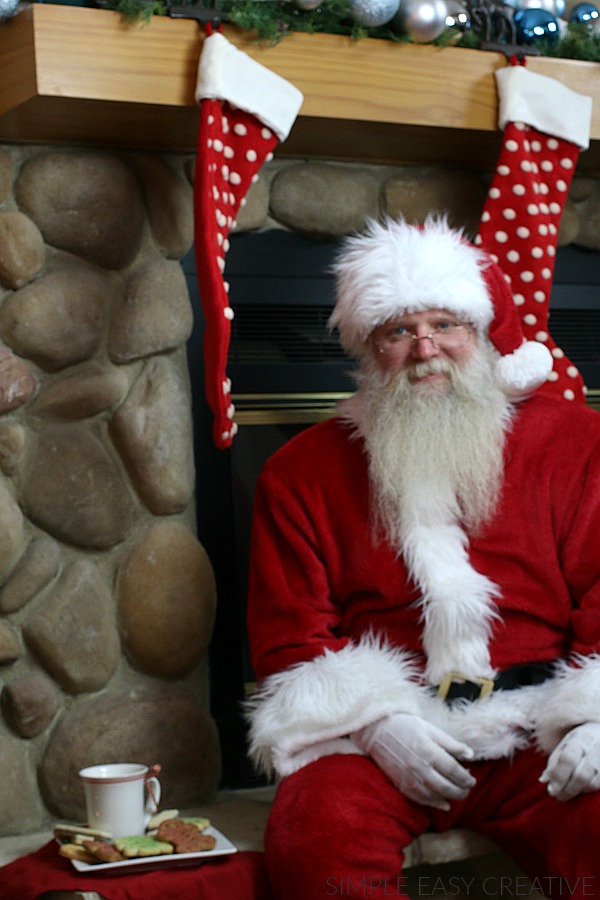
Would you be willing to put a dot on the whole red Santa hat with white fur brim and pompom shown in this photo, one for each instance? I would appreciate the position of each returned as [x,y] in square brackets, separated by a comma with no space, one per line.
[396,268]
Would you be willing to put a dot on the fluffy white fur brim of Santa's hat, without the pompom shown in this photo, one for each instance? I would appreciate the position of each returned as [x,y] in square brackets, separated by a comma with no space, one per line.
[397,268]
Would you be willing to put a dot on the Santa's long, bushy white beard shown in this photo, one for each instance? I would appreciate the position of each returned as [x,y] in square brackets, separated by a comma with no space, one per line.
[435,450]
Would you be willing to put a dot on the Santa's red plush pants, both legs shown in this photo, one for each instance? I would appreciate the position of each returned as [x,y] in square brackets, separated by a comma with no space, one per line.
[338,826]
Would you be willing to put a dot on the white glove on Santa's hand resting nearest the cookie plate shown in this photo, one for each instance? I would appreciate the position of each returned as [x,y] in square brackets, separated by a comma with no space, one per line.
[419,758]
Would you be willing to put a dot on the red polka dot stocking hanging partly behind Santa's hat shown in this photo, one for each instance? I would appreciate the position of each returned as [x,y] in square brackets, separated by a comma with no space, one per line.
[545,126]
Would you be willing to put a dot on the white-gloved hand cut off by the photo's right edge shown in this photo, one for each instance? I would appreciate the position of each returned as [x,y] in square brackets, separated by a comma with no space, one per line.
[574,765]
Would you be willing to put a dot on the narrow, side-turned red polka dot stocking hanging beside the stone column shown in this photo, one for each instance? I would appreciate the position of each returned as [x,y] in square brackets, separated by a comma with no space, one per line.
[245,110]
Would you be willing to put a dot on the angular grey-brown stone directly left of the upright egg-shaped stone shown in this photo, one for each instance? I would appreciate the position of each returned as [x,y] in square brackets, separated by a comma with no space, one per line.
[73,633]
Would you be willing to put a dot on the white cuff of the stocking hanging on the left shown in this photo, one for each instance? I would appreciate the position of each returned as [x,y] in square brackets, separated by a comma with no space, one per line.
[226,73]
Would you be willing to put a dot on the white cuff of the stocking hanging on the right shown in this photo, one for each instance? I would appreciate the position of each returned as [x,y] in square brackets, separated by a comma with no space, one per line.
[545,104]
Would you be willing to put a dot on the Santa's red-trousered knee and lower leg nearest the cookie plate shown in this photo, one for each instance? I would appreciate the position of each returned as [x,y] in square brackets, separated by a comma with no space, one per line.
[330,829]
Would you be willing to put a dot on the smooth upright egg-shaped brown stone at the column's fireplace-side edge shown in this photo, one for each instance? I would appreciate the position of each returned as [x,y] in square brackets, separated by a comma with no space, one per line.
[167,596]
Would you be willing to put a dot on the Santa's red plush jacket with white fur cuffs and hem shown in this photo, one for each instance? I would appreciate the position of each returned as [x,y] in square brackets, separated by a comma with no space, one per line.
[335,625]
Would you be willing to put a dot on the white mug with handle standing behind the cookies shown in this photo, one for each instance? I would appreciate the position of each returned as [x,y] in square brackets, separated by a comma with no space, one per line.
[120,798]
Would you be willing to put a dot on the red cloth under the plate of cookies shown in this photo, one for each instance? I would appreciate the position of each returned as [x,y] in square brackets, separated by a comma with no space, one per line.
[241,876]
